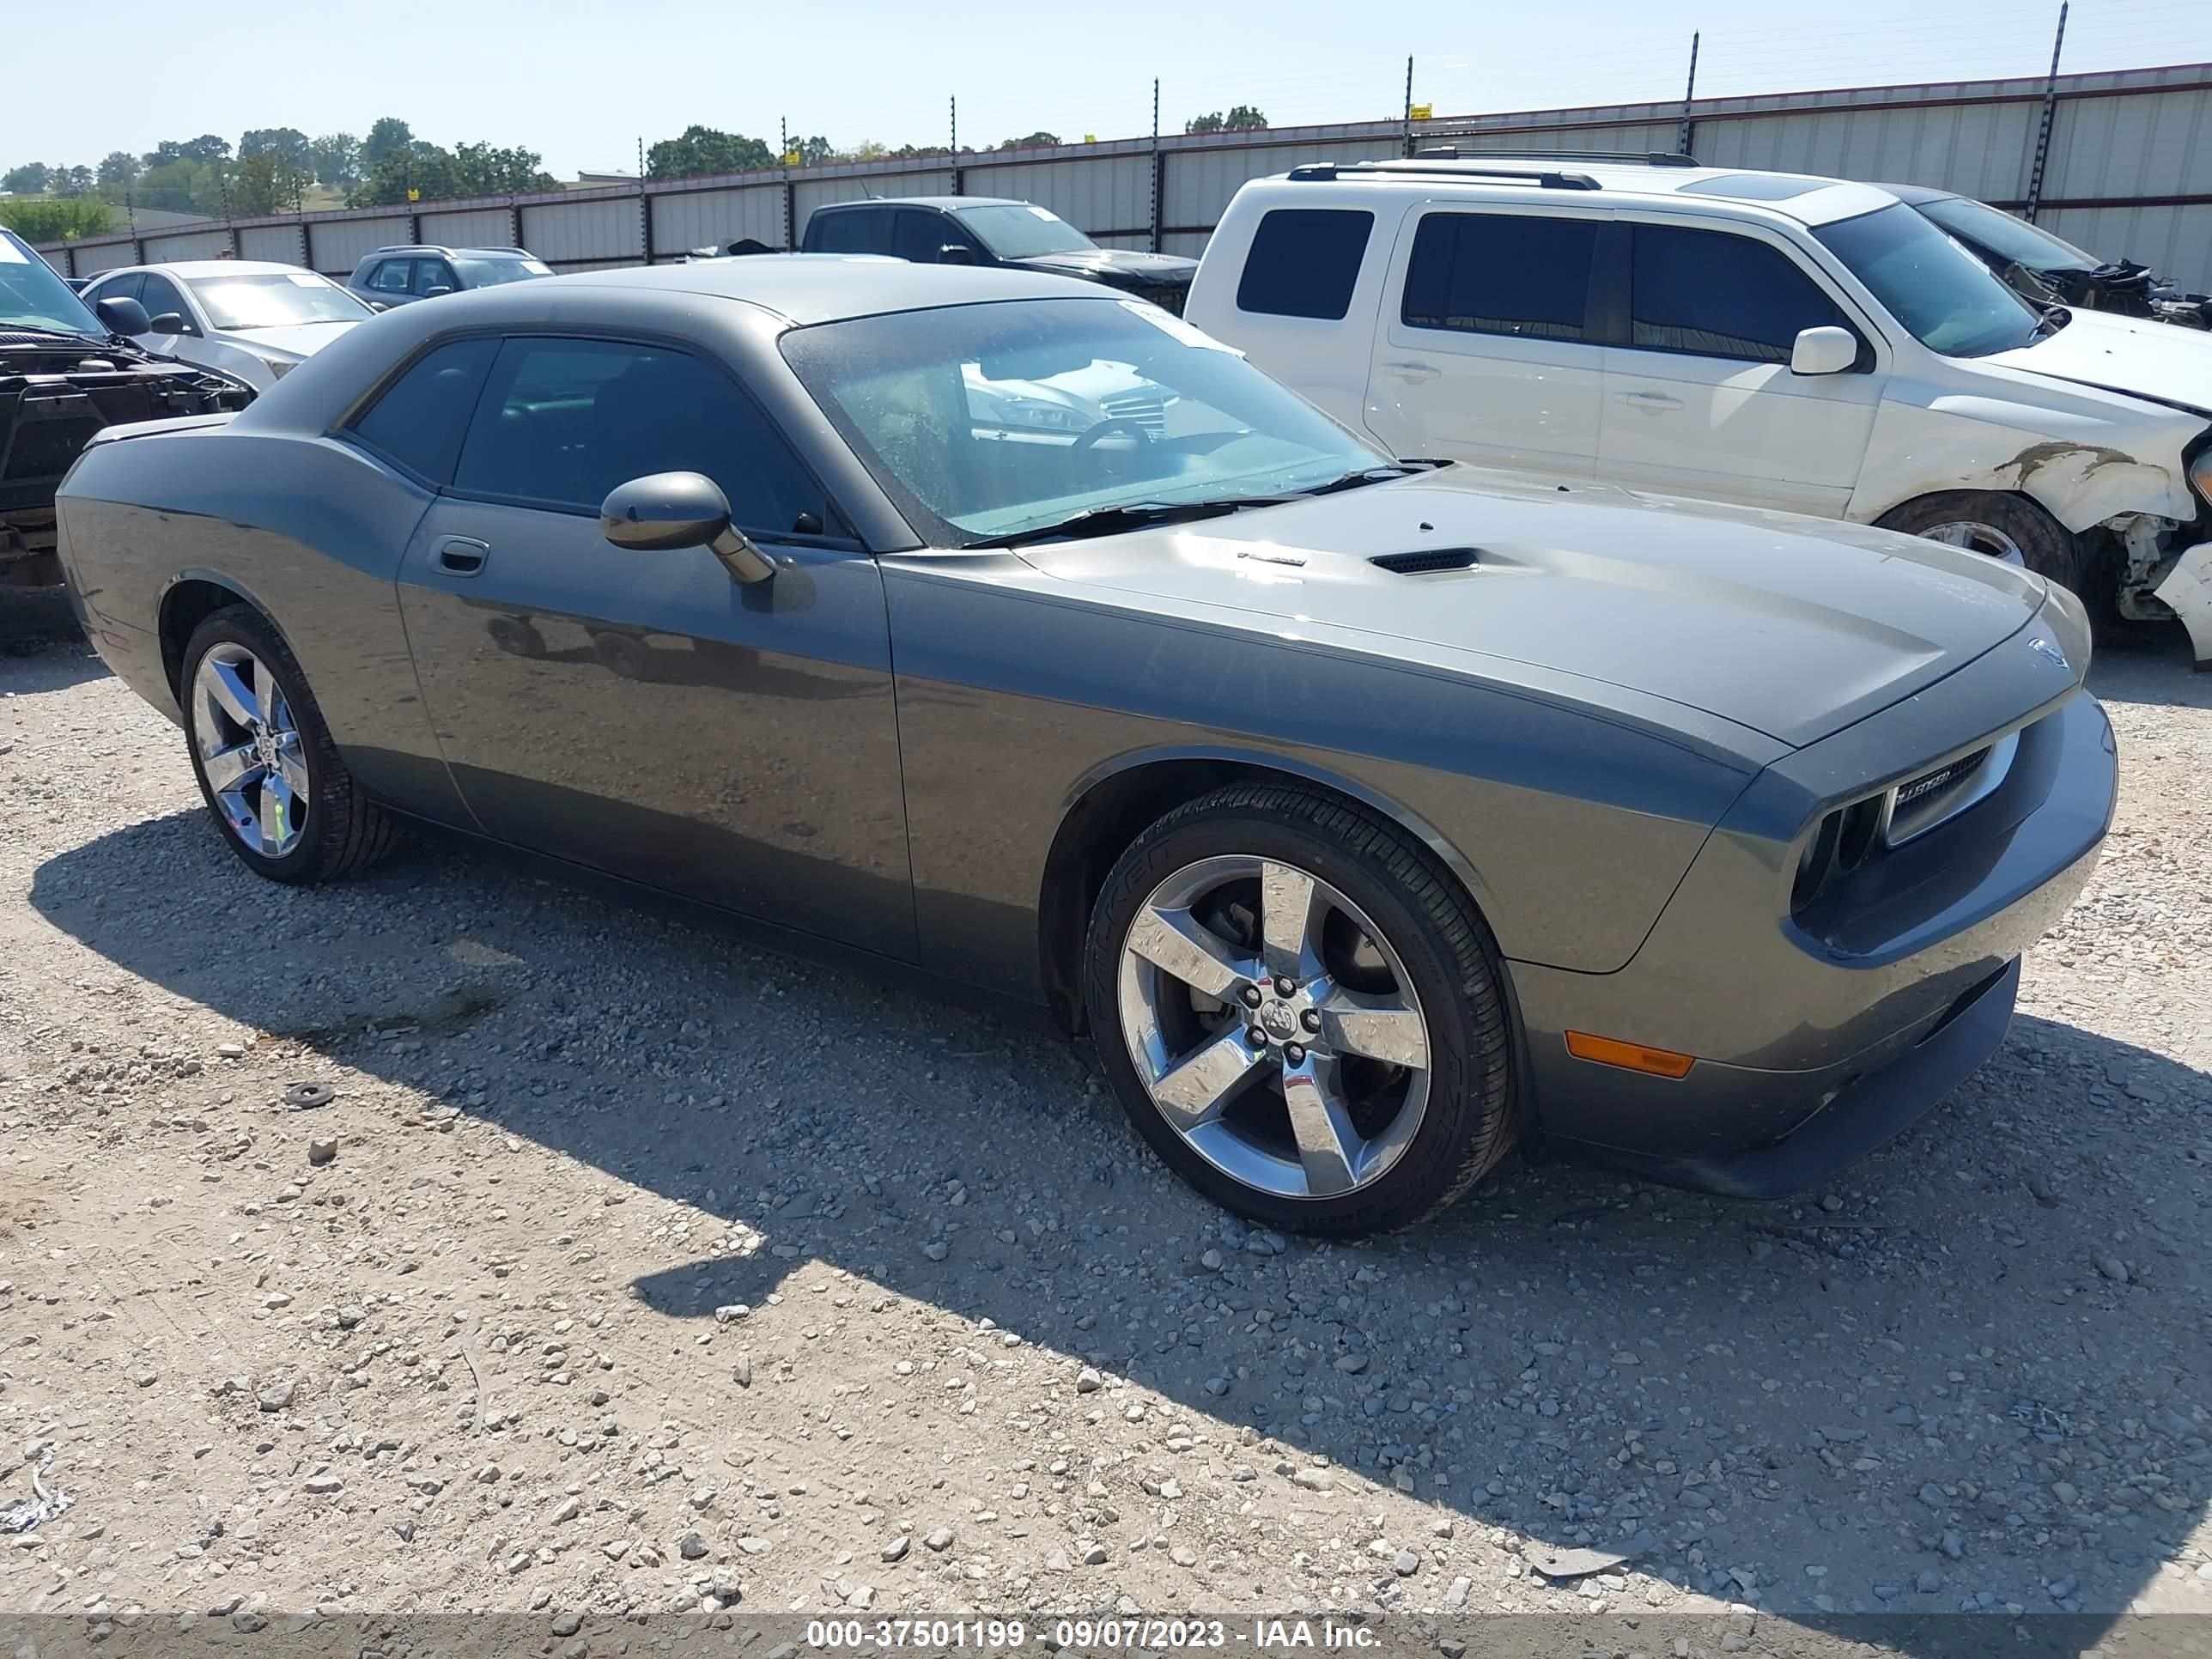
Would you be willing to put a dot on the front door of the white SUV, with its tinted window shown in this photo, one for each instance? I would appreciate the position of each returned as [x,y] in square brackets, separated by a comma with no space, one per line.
[1702,401]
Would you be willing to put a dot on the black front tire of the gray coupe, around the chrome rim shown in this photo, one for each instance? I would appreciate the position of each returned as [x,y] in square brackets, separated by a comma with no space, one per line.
[1437,935]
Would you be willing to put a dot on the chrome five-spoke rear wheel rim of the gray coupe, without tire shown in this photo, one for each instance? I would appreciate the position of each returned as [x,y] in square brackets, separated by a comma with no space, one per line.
[251,751]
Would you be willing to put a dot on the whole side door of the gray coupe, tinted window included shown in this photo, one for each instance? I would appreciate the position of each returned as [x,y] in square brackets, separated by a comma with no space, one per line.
[643,713]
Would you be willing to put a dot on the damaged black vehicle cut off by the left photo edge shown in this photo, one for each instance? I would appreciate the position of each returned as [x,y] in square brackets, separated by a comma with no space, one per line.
[65,375]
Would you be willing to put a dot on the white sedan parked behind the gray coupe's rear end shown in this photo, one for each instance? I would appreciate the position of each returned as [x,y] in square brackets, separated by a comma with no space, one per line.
[244,317]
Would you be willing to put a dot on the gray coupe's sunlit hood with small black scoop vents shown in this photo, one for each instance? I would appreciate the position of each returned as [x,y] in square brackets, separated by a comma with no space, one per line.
[1782,625]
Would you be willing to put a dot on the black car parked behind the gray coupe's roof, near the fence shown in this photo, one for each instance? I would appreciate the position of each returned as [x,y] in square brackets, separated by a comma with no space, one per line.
[992,231]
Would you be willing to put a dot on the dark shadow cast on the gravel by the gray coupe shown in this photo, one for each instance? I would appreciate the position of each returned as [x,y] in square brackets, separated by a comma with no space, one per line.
[1948,1384]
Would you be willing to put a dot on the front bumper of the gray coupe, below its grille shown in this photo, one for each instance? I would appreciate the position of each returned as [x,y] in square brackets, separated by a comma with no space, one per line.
[1813,1052]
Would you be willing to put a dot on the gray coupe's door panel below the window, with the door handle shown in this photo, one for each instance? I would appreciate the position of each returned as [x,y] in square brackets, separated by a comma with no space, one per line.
[647,716]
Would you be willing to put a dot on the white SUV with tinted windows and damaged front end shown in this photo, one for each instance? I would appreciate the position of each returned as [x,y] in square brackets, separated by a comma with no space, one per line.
[1751,337]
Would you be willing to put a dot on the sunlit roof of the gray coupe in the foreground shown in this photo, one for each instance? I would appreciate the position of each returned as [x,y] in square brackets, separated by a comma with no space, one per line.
[822,289]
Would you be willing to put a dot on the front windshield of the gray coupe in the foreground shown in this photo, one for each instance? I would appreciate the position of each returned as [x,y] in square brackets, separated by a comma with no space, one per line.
[985,421]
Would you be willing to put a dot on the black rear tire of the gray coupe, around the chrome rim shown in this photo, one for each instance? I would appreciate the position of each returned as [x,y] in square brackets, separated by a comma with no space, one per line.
[342,833]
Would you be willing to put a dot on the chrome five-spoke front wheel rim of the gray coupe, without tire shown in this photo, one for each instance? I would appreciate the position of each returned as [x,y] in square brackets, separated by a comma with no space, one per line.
[1275,1027]
